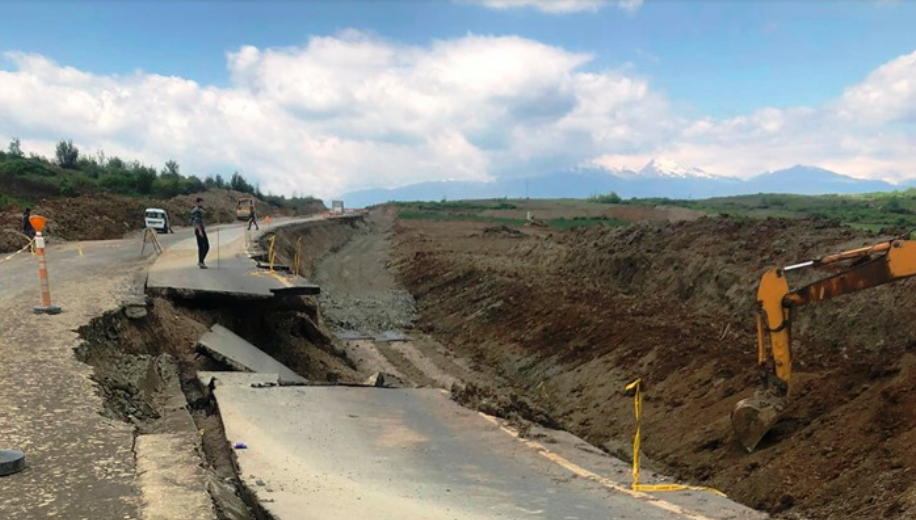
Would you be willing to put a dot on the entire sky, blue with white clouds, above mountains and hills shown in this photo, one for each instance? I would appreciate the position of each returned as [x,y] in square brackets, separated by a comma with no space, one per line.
[324,97]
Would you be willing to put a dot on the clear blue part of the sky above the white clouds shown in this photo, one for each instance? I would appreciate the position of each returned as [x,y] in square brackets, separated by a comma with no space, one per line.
[716,60]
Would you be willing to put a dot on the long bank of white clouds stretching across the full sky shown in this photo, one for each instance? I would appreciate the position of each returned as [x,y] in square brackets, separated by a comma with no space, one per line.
[353,111]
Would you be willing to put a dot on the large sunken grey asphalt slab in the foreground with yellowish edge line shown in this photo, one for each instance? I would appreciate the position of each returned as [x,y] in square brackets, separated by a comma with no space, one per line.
[320,452]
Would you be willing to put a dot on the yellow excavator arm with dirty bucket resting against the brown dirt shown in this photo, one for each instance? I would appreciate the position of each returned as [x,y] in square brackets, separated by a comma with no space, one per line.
[871,266]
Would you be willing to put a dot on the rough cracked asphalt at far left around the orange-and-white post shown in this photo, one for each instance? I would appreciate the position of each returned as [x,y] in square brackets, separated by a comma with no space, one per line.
[80,465]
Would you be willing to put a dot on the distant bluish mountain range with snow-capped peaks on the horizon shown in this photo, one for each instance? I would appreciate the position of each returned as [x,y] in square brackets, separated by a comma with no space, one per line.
[659,178]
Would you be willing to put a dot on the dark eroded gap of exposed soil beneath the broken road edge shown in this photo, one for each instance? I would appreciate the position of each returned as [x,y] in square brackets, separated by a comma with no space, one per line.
[146,358]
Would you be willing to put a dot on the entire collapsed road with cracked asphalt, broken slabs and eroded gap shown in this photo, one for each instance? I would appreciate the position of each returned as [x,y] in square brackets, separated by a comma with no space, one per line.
[112,431]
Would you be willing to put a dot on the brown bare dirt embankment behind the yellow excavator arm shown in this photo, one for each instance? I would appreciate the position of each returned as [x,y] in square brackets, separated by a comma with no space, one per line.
[585,312]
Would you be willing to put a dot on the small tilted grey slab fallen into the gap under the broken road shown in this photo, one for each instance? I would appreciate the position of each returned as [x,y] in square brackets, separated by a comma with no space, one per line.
[227,347]
